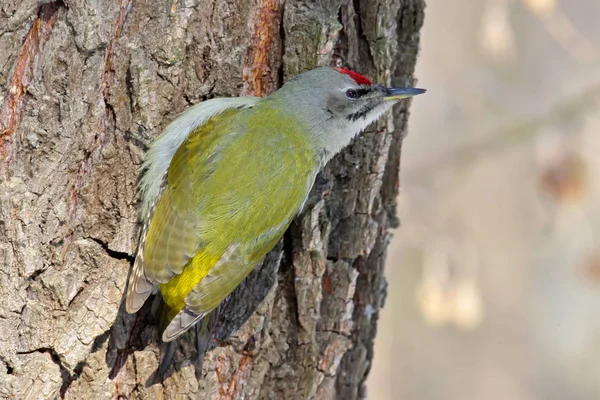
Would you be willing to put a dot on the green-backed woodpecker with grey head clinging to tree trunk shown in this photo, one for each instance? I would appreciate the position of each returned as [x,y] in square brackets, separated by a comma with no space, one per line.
[225,179]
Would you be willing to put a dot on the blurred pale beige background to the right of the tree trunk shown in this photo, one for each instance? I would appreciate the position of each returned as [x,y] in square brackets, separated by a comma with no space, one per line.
[494,275]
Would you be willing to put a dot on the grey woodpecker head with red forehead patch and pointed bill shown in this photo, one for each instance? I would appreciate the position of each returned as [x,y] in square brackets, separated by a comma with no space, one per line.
[336,104]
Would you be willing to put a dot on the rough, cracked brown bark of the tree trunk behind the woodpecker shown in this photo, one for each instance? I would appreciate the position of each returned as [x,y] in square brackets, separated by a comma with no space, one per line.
[85,86]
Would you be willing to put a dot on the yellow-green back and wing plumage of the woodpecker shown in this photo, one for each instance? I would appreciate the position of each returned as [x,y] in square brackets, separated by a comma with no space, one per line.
[226,193]
